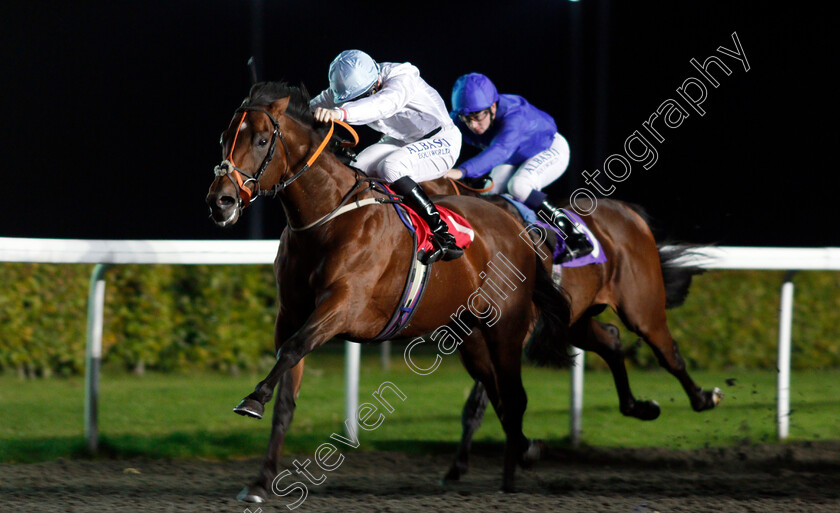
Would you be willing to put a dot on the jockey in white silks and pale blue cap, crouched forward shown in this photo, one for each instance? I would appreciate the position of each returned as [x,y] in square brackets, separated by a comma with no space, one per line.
[420,142]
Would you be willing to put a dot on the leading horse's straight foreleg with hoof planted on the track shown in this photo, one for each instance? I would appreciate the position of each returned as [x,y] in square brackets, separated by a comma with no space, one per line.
[284,409]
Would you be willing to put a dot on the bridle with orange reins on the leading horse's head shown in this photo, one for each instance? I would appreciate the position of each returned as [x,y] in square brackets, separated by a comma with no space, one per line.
[234,173]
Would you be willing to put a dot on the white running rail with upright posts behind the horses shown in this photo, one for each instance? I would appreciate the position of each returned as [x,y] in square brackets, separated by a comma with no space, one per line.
[106,253]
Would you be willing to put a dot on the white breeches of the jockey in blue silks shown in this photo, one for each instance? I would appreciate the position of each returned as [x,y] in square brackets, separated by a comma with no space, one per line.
[535,173]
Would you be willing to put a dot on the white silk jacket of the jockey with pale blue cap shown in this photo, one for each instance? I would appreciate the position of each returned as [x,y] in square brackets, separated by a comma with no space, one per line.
[405,108]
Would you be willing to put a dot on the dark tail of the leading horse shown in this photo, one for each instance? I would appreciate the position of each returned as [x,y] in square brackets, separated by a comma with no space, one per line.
[549,344]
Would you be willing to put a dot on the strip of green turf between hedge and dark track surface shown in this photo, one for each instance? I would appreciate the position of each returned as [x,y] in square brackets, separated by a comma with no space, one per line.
[187,416]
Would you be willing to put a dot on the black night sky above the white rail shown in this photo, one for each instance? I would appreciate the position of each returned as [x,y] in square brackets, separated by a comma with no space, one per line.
[111,111]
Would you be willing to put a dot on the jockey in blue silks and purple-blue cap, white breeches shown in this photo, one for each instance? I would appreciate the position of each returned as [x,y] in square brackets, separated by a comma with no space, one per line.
[522,151]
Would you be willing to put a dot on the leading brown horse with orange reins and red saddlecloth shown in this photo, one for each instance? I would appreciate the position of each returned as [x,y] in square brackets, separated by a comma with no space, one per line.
[342,275]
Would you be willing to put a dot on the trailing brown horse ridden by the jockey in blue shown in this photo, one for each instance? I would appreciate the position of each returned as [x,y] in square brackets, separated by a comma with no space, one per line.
[635,285]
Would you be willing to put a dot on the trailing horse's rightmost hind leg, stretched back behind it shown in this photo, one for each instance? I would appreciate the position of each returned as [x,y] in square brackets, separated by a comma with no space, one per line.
[652,327]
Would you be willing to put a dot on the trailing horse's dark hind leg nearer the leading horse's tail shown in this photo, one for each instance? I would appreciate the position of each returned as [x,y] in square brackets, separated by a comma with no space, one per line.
[603,339]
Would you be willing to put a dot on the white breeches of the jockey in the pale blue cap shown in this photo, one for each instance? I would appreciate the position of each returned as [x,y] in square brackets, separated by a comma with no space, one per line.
[426,159]
